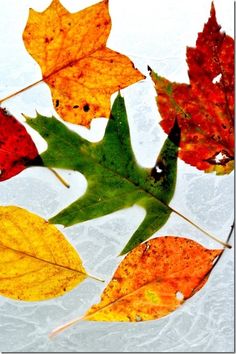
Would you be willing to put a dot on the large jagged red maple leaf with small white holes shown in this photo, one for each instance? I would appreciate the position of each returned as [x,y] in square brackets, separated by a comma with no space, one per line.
[205,107]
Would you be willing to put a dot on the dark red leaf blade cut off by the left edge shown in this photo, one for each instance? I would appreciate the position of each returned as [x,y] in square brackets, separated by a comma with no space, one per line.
[17,149]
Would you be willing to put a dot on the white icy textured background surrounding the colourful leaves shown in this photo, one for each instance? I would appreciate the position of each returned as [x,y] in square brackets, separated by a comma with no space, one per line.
[151,32]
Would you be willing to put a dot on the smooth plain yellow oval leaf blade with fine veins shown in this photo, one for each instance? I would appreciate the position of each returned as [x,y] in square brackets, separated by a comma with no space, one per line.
[36,261]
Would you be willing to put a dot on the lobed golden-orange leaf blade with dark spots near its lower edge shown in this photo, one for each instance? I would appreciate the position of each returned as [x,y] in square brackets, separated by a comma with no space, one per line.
[71,51]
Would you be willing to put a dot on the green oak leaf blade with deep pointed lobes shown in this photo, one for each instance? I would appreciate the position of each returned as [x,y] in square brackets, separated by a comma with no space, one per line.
[115,180]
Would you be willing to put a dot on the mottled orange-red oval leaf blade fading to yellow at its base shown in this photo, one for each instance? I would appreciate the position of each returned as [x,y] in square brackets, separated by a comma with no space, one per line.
[154,279]
